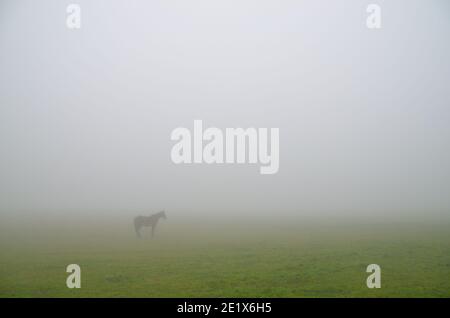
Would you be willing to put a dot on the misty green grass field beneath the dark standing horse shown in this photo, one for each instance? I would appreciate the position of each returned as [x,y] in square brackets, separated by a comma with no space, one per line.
[226,260]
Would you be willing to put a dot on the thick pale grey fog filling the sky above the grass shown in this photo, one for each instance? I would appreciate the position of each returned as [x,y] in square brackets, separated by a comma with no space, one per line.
[86,114]
